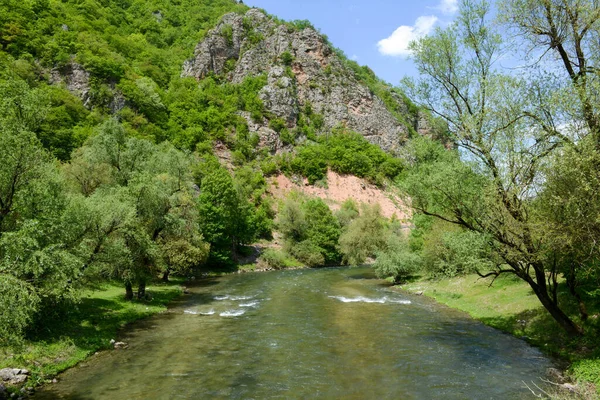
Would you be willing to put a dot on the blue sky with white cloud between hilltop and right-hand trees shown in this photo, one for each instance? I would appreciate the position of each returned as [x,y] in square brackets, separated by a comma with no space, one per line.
[374,33]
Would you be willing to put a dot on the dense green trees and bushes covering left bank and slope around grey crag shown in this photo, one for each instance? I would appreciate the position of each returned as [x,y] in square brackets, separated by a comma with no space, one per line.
[109,172]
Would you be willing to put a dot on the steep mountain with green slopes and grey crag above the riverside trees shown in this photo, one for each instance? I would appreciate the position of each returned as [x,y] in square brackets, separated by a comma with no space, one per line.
[263,83]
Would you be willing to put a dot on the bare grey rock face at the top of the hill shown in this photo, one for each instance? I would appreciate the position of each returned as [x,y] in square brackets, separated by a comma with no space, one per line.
[302,69]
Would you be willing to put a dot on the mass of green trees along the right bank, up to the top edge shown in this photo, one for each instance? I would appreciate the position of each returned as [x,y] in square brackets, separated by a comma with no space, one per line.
[520,197]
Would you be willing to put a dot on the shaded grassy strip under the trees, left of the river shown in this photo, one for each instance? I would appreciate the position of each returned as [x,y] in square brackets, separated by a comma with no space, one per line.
[86,328]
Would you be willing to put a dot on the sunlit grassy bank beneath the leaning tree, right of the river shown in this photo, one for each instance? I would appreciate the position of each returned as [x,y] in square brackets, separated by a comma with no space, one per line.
[510,305]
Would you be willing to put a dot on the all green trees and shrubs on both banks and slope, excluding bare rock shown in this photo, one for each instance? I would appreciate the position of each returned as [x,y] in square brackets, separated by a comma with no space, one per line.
[121,182]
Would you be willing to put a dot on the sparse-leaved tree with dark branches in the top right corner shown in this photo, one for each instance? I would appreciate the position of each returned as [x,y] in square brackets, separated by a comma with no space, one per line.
[562,38]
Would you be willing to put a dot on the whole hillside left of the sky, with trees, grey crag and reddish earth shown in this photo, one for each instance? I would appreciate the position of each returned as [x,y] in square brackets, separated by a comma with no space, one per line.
[144,139]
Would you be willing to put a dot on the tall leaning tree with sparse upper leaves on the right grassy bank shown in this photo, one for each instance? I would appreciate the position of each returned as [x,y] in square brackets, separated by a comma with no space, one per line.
[503,147]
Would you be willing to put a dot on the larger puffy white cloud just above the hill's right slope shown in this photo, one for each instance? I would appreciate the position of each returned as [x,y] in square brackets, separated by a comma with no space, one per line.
[397,43]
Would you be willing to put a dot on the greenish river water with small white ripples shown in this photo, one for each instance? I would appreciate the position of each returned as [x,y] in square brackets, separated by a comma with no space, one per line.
[334,333]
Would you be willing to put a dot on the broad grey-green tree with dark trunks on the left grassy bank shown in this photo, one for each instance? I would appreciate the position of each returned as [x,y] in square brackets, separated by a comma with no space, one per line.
[153,186]
